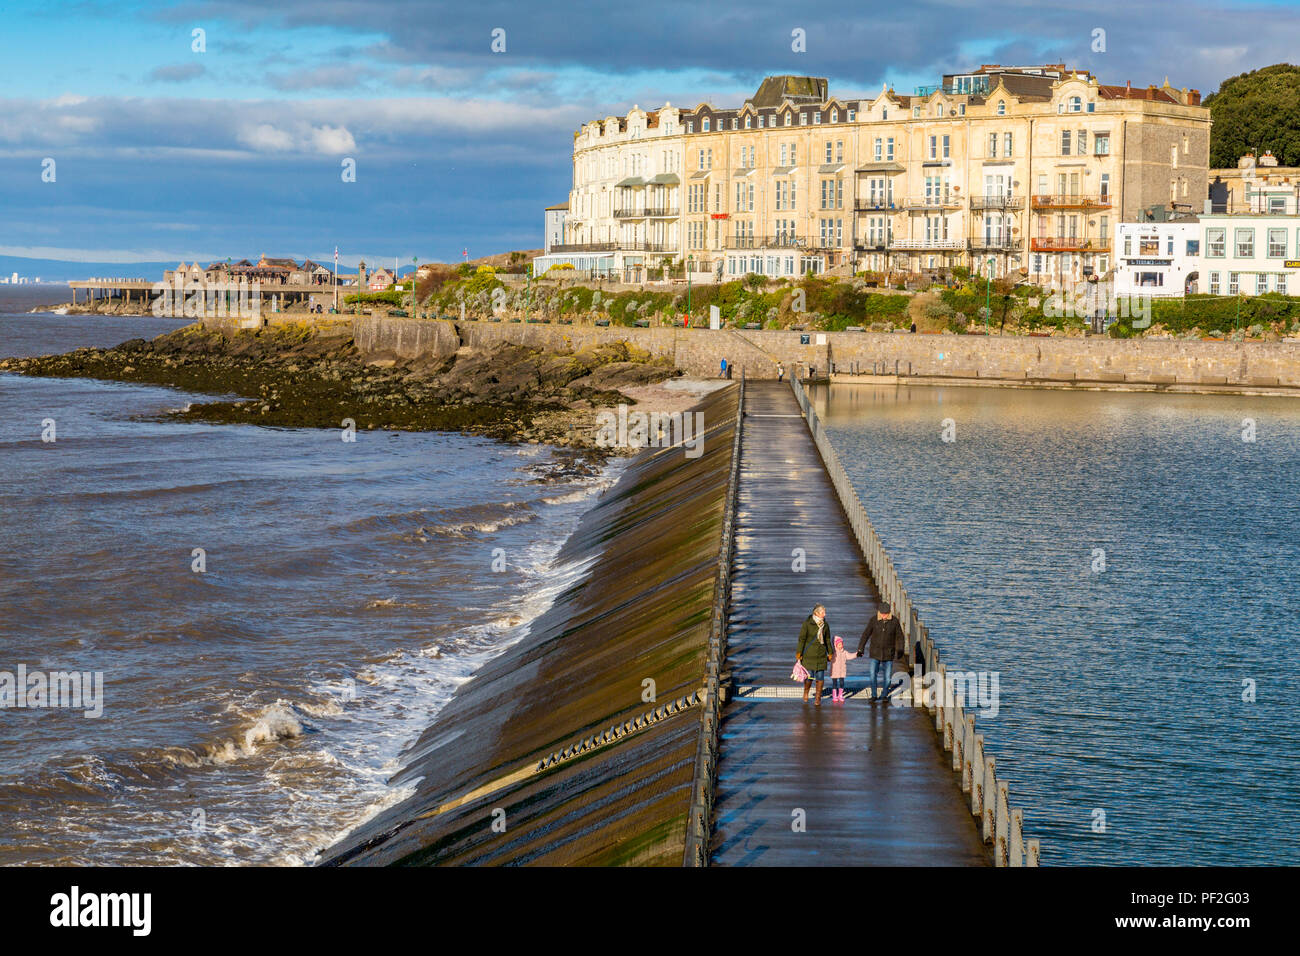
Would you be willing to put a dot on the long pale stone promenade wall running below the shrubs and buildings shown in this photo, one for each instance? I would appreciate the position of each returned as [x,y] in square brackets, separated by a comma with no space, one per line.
[1095,361]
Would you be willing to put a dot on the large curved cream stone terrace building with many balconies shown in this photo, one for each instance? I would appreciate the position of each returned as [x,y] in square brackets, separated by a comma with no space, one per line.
[1020,170]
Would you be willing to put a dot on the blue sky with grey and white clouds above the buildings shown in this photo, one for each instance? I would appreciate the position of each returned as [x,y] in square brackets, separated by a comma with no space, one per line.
[201,131]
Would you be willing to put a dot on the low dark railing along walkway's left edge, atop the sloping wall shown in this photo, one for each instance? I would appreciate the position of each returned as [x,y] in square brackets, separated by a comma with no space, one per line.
[699,824]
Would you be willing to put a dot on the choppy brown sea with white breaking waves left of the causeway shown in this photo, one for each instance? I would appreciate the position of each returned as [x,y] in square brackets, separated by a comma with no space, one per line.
[254,711]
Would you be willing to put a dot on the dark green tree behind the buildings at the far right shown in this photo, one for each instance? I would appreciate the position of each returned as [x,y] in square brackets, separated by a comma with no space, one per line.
[1256,113]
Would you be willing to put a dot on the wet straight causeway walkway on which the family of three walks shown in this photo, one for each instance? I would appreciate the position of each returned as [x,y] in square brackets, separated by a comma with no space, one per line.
[853,784]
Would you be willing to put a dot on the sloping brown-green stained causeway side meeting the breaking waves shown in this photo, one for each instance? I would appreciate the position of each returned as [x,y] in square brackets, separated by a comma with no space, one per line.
[578,746]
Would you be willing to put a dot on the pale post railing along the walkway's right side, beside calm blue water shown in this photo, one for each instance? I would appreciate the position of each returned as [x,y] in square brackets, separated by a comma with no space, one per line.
[990,794]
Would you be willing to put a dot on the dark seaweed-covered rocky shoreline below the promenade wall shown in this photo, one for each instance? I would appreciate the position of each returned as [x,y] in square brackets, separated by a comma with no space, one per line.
[301,377]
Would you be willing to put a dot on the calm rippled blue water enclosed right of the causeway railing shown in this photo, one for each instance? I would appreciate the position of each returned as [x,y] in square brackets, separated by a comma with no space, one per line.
[1121,690]
